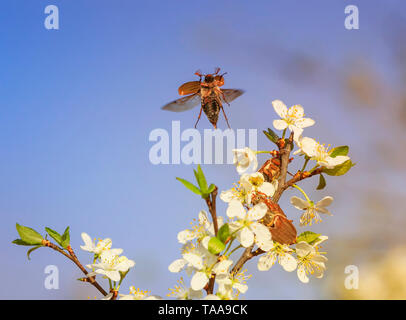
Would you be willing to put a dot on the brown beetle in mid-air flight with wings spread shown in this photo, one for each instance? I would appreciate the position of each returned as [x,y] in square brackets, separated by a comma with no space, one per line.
[206,92]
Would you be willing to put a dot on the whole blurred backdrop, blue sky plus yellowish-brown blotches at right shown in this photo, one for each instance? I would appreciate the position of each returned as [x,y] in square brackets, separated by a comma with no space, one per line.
[77,106]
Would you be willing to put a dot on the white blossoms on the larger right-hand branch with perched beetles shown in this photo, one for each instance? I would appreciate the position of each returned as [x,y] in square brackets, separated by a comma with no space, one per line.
[244,216]
